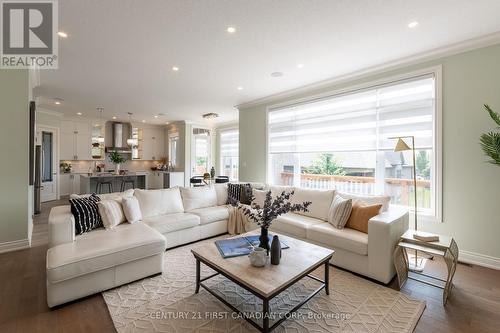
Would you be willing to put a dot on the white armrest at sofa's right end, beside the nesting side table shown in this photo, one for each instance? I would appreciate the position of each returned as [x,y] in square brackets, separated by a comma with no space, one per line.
[384,232]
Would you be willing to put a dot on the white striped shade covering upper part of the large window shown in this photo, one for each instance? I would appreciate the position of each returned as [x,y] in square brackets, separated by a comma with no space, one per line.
[357,121]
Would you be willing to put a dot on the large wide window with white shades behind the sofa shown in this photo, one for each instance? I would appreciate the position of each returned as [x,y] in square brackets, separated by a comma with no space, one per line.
[342,142]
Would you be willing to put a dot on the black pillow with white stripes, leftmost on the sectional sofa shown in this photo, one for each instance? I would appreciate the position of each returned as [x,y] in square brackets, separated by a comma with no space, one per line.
[86,213]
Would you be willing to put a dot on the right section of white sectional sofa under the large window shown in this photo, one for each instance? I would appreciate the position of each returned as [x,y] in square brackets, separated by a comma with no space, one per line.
[368,254]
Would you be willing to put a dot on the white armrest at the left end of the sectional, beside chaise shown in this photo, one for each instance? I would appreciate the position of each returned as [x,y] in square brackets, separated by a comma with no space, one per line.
[61,226]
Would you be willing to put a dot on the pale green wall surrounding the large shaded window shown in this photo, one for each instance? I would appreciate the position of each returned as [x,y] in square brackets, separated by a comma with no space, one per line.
[471,187]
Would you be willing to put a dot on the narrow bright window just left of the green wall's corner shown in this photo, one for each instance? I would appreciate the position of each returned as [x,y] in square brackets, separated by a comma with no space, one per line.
[229,147]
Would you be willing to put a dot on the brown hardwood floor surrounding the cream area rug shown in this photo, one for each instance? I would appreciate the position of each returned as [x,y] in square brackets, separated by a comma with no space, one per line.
[474,305]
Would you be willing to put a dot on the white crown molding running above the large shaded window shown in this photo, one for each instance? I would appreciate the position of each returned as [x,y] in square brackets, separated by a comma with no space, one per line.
[434,54]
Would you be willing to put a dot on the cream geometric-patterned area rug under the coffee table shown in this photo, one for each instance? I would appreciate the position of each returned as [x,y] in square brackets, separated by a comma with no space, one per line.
[167,303]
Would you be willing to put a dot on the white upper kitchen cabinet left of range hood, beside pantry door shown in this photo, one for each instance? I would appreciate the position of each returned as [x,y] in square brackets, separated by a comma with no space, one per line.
[75,140]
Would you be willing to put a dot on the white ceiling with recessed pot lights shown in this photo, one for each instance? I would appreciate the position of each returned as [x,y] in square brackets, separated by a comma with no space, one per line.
[119,53]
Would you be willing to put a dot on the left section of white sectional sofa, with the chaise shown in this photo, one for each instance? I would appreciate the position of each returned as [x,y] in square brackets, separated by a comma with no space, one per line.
[79,266]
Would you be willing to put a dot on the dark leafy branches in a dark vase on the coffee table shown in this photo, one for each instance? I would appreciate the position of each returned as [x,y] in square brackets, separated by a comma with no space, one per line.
[273,207]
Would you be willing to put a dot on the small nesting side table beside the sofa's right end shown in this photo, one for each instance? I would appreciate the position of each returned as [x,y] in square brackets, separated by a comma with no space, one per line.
[446,247]
